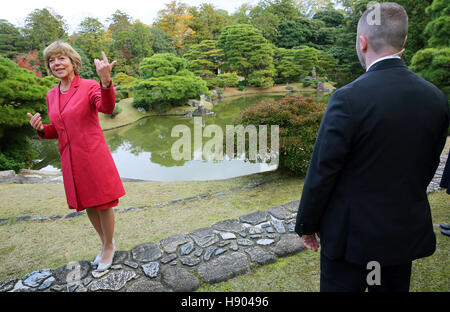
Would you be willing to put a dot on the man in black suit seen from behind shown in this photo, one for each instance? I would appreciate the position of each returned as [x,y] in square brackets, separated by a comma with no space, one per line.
[377,150]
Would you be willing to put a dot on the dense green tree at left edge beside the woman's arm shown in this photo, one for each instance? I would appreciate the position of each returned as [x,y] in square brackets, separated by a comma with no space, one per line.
[20,92]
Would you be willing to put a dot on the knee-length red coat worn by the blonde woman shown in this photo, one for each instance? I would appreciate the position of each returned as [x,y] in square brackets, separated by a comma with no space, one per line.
[89,173]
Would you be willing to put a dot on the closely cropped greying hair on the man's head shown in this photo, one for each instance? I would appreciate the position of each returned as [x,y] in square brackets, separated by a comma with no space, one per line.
[388,30]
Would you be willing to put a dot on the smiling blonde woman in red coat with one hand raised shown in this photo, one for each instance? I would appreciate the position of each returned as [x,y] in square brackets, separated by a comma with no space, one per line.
[91,180]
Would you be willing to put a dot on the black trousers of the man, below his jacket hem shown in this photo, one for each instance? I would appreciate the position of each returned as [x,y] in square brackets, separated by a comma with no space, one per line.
[342,276]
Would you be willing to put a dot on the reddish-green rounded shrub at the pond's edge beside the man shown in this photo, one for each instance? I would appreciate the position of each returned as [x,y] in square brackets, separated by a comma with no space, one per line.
[298,120]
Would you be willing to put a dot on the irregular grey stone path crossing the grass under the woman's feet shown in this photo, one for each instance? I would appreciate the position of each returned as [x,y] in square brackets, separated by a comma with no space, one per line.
[183,262]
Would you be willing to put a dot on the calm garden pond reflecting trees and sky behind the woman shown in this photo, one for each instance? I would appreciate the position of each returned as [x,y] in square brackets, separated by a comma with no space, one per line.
[142,150]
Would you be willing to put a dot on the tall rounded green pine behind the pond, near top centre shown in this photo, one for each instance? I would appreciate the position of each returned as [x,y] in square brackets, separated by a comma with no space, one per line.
[248,53]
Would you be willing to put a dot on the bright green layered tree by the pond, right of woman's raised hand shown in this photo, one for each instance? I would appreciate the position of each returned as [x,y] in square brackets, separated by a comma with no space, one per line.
[166,83]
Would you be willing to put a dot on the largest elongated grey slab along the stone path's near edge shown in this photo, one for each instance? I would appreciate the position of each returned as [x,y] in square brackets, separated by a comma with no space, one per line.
[224,267]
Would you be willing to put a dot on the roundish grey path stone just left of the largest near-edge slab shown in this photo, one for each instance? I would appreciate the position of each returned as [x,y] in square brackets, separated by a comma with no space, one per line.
[179,279]
